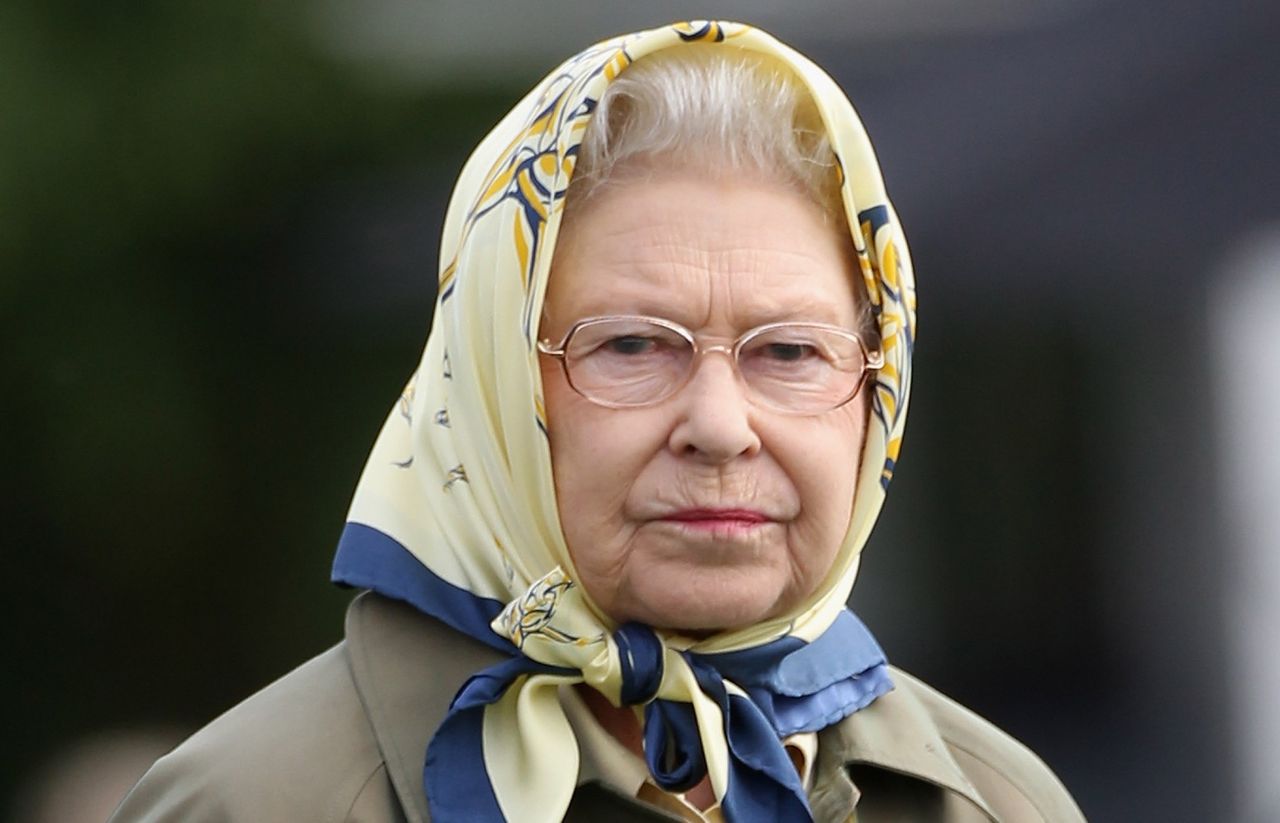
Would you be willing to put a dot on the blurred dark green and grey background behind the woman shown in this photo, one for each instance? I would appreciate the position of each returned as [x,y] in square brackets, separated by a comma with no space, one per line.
[218,228]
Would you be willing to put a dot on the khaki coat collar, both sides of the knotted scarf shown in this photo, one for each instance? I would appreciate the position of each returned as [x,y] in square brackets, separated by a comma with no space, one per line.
[409,666]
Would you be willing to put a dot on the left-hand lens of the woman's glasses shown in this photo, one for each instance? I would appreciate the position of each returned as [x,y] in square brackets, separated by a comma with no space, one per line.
[627,363]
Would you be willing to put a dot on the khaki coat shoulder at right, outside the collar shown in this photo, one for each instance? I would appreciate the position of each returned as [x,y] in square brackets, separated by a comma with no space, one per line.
[1011,778]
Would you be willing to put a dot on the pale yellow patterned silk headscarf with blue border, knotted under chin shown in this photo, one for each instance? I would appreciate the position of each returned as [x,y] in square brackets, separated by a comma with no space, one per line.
[456,510]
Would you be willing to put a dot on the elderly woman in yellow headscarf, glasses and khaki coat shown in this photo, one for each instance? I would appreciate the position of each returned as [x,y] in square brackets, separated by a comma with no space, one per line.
[611,527]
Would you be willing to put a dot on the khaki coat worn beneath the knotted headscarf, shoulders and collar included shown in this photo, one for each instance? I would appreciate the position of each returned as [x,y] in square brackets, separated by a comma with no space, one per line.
[342,740]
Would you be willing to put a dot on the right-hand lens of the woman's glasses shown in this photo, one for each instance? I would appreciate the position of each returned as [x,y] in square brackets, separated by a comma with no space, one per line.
[801,368]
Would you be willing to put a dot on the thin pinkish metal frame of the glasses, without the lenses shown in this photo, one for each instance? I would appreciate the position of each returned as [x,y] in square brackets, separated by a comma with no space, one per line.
[874,360]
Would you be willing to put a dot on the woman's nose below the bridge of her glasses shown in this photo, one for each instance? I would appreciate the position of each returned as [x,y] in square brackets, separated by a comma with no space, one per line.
[716,423]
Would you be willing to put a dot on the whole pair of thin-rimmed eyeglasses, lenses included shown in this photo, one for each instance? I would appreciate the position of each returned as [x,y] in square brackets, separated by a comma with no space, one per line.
[793,368]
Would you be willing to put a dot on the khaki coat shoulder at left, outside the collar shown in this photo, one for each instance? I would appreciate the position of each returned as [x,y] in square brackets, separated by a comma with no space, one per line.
[299,749]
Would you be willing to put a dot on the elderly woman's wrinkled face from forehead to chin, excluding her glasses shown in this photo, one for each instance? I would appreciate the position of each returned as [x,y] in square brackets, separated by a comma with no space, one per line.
[703,513]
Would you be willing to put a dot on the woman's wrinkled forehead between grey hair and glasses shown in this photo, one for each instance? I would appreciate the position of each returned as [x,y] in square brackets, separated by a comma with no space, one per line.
[728,253]
